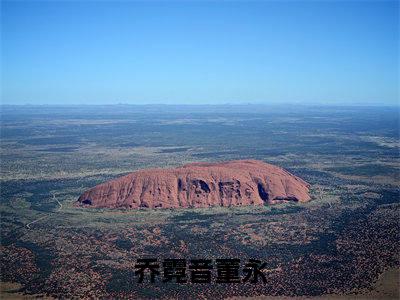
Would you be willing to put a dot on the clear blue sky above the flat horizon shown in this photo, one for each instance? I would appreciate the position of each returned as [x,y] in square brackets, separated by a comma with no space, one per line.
[200,52]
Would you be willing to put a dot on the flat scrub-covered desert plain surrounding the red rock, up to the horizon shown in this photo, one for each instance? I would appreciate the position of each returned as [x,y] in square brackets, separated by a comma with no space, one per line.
[341,243]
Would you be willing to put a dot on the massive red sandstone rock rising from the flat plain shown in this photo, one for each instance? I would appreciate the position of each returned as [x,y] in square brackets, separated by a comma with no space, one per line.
[232,183]
